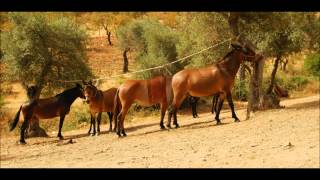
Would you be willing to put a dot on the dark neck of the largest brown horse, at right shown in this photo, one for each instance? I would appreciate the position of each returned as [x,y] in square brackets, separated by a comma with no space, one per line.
[231,63]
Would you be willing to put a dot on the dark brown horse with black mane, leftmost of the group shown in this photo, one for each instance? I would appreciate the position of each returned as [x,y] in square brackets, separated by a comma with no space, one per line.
[46,108]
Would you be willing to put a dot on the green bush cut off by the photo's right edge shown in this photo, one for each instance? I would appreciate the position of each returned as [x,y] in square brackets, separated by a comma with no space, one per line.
[312,64]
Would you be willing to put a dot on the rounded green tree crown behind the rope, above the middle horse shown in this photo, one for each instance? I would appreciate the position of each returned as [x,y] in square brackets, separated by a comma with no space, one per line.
[155,44]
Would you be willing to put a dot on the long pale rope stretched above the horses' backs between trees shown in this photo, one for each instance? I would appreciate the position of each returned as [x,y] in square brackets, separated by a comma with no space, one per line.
[157,67]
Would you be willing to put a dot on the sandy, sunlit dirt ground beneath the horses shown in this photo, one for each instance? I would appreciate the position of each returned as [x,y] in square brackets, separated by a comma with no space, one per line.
[279,138]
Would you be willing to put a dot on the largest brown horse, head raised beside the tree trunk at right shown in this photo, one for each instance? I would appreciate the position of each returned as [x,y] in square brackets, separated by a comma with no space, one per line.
[210,80]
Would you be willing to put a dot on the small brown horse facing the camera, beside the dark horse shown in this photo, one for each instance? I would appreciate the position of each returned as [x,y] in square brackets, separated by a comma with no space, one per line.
[99,101]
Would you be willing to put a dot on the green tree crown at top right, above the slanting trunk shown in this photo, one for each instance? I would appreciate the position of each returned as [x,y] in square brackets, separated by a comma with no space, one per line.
[274,33]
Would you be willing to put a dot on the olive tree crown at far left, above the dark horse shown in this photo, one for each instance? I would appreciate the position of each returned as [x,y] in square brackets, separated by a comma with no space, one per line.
[39,50]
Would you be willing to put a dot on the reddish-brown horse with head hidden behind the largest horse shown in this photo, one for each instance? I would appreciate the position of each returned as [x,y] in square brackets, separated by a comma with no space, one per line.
[146,93]
